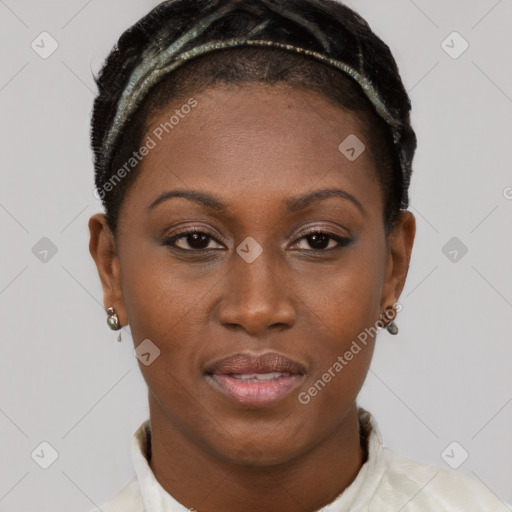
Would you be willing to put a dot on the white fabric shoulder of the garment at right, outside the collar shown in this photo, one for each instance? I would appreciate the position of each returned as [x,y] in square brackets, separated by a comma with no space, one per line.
[415,486]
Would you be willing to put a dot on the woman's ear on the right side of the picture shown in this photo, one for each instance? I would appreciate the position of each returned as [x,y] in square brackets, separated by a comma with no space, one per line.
[399,249]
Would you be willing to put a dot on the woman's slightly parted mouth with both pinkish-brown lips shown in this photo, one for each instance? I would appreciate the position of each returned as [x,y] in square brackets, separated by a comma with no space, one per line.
[255,381]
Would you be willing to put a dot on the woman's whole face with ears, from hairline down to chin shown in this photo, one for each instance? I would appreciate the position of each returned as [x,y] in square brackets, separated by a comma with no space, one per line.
[265,165]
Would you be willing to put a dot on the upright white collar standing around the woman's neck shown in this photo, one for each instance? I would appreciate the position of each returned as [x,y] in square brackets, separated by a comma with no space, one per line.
[156,499]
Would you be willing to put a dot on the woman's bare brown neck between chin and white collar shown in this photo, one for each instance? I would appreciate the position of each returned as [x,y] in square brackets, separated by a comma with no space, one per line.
[204,482]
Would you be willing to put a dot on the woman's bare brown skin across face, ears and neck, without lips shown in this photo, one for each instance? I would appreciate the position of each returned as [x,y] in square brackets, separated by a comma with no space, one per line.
[252,147]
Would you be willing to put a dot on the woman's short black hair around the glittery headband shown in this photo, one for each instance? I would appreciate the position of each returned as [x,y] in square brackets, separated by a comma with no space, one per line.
[248,64]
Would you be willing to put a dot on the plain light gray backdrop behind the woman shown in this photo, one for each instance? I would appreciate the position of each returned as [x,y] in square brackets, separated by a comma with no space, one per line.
[63,377]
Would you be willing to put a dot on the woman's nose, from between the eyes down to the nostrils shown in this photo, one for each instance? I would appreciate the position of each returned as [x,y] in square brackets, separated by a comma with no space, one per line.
[256,297]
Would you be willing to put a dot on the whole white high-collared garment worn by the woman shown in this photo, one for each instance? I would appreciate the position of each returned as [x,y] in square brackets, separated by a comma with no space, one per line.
[387,482]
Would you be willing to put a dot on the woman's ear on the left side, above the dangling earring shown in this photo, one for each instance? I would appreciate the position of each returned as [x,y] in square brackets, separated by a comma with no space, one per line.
[102,247]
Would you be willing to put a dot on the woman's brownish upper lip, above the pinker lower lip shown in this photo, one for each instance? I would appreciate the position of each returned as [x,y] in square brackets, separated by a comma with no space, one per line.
[244,363]
